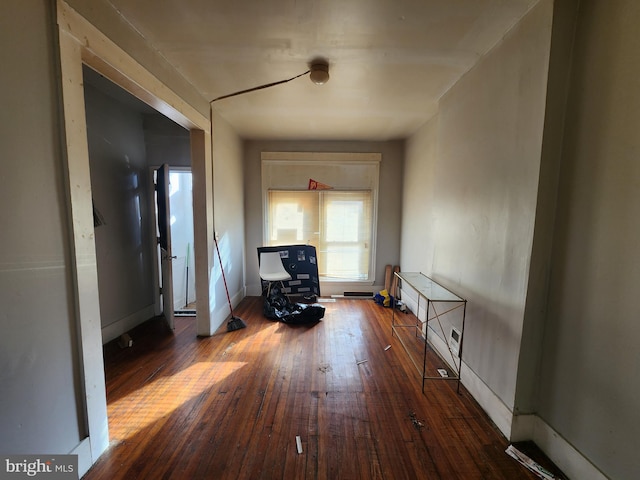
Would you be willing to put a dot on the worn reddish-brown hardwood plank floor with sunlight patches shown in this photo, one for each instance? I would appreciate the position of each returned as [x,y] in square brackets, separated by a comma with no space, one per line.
[230,406]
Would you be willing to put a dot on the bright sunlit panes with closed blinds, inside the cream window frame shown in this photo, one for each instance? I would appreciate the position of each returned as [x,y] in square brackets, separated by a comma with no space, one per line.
[337,223]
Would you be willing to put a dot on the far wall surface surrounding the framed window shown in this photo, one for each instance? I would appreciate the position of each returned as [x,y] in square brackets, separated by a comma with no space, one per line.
[389,201]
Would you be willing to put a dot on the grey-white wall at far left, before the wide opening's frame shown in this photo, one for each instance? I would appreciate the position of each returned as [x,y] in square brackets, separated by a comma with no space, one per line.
[40,405]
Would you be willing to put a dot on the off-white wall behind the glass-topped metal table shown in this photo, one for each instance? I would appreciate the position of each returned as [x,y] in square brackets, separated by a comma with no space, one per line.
[469,205]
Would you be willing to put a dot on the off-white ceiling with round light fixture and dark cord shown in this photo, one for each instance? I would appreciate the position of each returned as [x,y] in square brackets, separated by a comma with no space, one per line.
[390,60]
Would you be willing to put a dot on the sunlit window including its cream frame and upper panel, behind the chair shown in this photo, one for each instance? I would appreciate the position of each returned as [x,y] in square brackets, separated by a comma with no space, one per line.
[340,222]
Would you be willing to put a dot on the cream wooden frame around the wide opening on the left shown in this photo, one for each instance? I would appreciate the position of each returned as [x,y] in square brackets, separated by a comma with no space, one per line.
[79,43]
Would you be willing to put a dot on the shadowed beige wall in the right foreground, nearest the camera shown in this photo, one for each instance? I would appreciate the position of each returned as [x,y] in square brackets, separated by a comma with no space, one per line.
[590,381]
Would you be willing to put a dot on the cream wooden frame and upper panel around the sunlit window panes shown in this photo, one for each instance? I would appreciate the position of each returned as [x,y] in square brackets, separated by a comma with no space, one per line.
[341,171]
